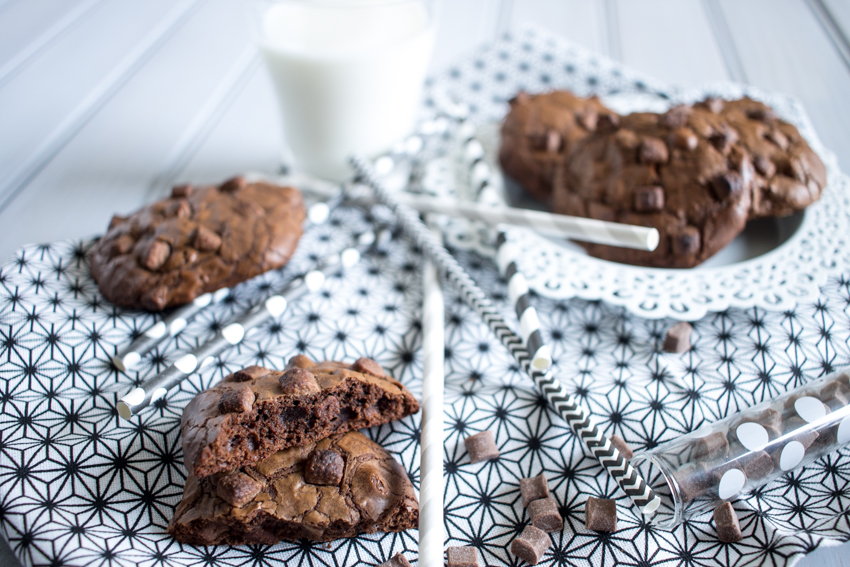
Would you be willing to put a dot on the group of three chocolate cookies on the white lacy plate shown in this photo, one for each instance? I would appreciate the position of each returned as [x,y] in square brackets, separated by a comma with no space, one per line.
[697,173]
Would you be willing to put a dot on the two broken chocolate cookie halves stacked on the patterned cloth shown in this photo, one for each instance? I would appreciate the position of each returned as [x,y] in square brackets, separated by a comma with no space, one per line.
[276,456]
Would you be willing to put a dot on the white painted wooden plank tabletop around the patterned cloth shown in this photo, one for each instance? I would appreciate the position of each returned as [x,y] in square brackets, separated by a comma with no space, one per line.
[105,103]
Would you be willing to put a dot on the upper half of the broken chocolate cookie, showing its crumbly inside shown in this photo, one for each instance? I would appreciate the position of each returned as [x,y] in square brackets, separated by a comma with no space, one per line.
[255,412]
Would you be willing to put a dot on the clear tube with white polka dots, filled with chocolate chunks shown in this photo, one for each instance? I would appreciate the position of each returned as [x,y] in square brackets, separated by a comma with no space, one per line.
[727,459]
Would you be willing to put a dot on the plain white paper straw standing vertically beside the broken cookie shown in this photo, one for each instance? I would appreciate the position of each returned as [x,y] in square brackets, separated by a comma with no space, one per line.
[432,488]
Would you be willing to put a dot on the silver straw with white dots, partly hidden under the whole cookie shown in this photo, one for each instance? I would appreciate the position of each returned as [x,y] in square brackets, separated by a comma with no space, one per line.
[172,324]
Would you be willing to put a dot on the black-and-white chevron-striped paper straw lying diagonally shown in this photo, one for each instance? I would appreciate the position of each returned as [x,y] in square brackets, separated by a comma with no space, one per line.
[566,405]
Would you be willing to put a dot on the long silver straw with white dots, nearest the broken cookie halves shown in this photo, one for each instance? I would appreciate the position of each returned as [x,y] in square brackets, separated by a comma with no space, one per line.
[232,334]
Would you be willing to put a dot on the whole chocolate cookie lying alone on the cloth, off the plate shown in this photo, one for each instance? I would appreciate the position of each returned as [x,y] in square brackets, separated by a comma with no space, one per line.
[198,240]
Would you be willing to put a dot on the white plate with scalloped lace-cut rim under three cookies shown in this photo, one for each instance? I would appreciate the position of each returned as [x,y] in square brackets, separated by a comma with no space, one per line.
[775,264]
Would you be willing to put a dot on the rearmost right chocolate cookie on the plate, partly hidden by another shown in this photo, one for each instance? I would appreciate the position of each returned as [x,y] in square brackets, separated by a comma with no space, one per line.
[789,176]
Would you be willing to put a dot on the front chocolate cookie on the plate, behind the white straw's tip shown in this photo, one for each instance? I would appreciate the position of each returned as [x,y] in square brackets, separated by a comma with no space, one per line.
[679,172]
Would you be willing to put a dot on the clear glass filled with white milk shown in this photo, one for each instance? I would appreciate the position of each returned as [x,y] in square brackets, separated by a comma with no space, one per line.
[348,75]
